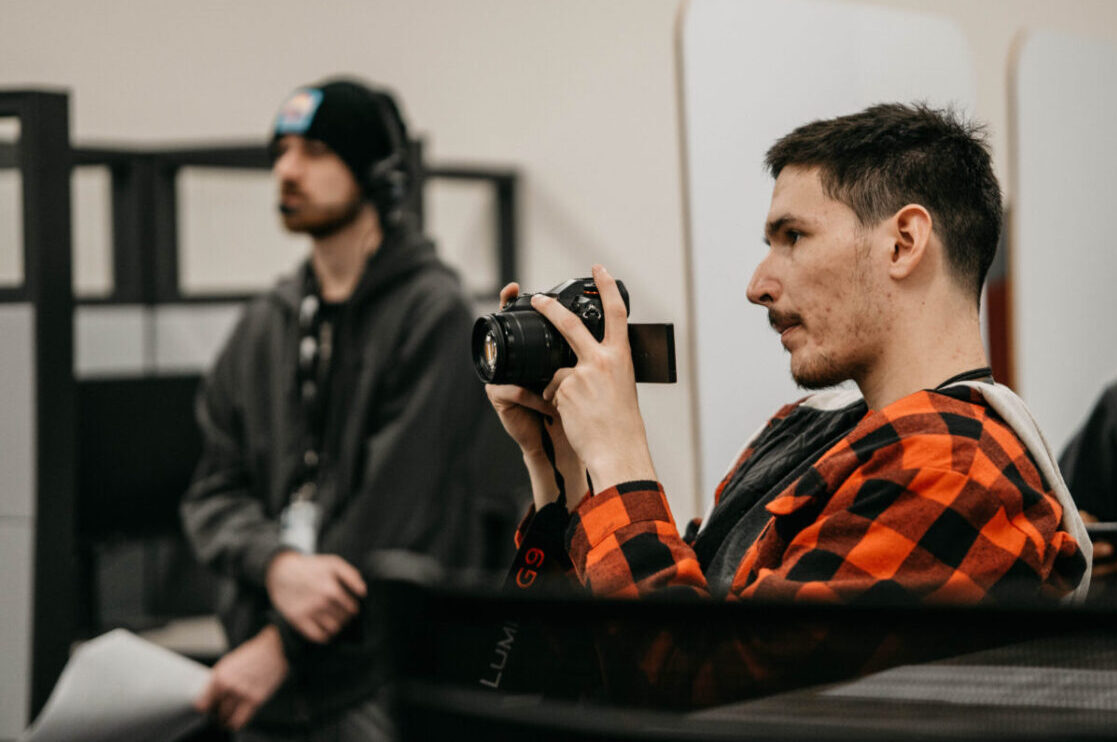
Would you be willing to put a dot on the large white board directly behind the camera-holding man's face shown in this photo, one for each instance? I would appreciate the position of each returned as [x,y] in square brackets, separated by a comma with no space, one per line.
[753,72]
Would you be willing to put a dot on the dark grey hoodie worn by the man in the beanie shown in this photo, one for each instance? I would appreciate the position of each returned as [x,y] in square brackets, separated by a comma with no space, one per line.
[413,455]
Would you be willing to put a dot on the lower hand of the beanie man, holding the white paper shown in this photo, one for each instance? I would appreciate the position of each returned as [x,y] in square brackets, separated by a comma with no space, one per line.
[244,680]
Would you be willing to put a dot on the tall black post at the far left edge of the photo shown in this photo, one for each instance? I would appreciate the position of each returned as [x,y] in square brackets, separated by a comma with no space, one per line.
[43,158]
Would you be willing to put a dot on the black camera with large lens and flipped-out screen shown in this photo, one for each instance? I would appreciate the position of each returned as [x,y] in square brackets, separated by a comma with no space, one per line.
[519,346]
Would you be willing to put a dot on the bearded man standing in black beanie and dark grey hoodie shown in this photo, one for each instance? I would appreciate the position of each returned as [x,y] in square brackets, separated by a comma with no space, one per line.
[342,418]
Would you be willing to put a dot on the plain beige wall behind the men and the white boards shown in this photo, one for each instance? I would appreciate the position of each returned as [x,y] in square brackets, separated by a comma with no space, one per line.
[579,94]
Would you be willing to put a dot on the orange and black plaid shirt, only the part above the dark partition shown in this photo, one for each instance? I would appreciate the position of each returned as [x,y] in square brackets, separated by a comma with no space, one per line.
[933,496]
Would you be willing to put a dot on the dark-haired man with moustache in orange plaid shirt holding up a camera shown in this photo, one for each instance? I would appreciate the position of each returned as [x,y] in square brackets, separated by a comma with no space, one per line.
[931,486]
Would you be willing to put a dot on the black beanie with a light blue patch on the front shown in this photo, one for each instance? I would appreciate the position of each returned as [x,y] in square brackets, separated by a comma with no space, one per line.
[350,118]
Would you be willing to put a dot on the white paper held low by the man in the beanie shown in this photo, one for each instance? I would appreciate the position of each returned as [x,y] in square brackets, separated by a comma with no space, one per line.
[122,688]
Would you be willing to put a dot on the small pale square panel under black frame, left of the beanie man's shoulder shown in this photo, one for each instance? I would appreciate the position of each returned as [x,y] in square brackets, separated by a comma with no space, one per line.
[111,340]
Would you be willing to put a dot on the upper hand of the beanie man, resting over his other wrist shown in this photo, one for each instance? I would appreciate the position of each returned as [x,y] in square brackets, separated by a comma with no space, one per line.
[318,594]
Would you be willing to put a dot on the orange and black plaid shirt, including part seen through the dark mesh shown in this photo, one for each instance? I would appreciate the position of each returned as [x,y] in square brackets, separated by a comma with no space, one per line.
[932,499]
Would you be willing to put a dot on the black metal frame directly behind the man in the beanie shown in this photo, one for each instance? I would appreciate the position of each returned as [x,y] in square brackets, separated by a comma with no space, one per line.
[145,197]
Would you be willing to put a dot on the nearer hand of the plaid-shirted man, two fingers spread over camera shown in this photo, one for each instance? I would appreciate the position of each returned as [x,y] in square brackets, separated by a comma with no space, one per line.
[597,398]
